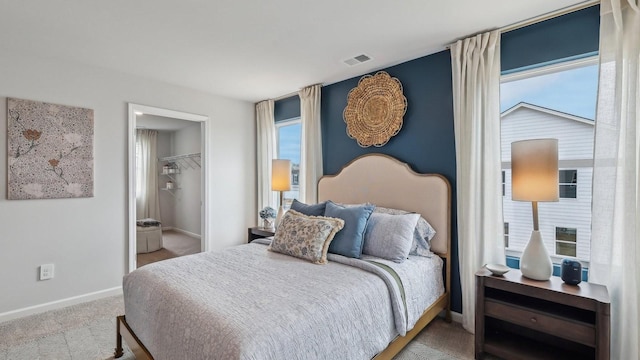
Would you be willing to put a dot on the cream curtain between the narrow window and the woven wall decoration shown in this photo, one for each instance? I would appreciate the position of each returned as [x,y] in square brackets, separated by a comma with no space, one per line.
[311,144]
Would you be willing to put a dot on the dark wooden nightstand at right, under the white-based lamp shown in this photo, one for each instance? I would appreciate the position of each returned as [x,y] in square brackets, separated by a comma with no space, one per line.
[519,318]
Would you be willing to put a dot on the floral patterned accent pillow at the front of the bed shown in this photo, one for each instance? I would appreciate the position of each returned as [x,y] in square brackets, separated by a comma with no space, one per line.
[305,237]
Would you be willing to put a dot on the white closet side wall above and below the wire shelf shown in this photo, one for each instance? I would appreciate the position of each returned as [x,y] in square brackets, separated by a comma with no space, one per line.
[187,199]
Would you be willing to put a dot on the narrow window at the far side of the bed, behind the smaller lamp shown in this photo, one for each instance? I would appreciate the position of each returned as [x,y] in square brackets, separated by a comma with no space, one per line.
[288,138]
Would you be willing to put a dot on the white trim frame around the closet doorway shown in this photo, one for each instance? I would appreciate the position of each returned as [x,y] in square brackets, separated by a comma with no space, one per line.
[205,149]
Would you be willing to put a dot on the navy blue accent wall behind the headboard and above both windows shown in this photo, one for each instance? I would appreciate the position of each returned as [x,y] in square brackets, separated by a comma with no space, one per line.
[426,141]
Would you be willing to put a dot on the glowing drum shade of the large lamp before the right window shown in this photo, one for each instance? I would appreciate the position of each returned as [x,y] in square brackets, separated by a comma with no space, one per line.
[534,170]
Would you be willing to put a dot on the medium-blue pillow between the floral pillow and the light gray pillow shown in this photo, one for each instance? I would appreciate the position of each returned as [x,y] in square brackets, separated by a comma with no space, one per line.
[348,241]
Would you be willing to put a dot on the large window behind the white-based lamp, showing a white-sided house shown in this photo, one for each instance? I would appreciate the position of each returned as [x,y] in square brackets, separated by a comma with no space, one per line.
[555,101]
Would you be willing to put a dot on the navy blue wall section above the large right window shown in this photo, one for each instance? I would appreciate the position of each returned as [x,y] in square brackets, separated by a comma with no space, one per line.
[570,35]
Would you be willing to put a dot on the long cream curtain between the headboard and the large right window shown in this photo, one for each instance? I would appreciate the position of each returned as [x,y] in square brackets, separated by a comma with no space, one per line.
[476,100]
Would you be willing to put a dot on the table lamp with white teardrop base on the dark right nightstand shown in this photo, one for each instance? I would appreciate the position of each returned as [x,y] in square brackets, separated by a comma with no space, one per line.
[534,177]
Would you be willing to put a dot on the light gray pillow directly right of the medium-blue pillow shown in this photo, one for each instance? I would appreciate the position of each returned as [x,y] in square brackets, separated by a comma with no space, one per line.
[390,236]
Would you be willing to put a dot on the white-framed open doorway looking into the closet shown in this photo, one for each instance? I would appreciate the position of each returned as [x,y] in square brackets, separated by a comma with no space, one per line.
[180,175]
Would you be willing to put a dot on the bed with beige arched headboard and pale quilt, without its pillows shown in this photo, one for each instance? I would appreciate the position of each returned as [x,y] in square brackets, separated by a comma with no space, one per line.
[249,303]
